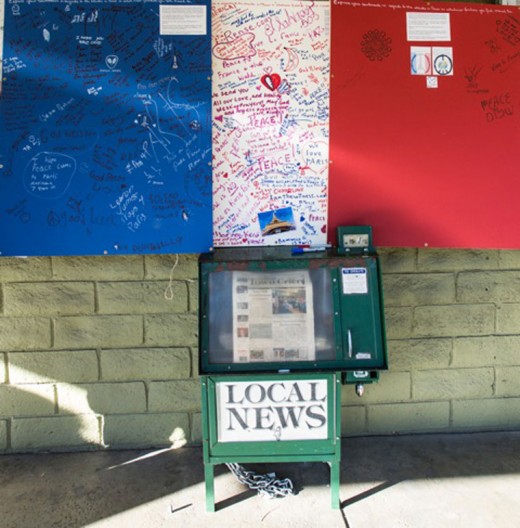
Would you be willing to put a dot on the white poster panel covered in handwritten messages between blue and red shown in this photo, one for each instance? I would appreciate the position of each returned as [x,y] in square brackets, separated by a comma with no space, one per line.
[270,122]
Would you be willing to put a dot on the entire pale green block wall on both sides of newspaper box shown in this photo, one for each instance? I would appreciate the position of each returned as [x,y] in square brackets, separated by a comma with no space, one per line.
[100,352]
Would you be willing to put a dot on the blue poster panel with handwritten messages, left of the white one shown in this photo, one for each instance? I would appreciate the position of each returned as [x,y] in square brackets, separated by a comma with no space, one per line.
[105,114]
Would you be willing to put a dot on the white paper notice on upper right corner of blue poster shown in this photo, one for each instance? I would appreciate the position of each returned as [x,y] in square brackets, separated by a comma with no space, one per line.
[182,20]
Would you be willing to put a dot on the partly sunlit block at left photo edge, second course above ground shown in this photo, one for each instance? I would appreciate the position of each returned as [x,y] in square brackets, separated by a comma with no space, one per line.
[27,400]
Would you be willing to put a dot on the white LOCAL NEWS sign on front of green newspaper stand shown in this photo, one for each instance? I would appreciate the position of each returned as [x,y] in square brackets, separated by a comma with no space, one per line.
[277,410]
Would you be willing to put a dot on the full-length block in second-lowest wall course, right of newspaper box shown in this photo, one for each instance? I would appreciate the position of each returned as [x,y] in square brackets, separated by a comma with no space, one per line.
[453,384]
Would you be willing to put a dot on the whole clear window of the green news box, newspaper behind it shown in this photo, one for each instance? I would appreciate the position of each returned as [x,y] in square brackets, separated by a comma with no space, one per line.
[271,316]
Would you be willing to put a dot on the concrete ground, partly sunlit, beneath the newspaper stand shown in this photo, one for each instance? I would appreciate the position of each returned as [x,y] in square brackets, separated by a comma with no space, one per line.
[455,480]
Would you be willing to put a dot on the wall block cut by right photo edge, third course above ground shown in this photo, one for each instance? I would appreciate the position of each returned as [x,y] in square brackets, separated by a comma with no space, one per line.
[486,351]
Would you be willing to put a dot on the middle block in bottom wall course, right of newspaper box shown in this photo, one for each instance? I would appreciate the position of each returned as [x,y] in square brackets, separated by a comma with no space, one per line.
[408,417]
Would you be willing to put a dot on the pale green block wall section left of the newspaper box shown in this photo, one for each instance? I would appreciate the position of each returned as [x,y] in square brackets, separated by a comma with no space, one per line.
[98,352]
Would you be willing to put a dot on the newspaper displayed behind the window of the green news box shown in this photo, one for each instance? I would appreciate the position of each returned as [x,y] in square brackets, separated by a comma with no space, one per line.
[273,317]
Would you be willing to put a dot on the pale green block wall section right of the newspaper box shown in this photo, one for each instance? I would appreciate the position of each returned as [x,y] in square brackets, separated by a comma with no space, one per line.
[453,328]
